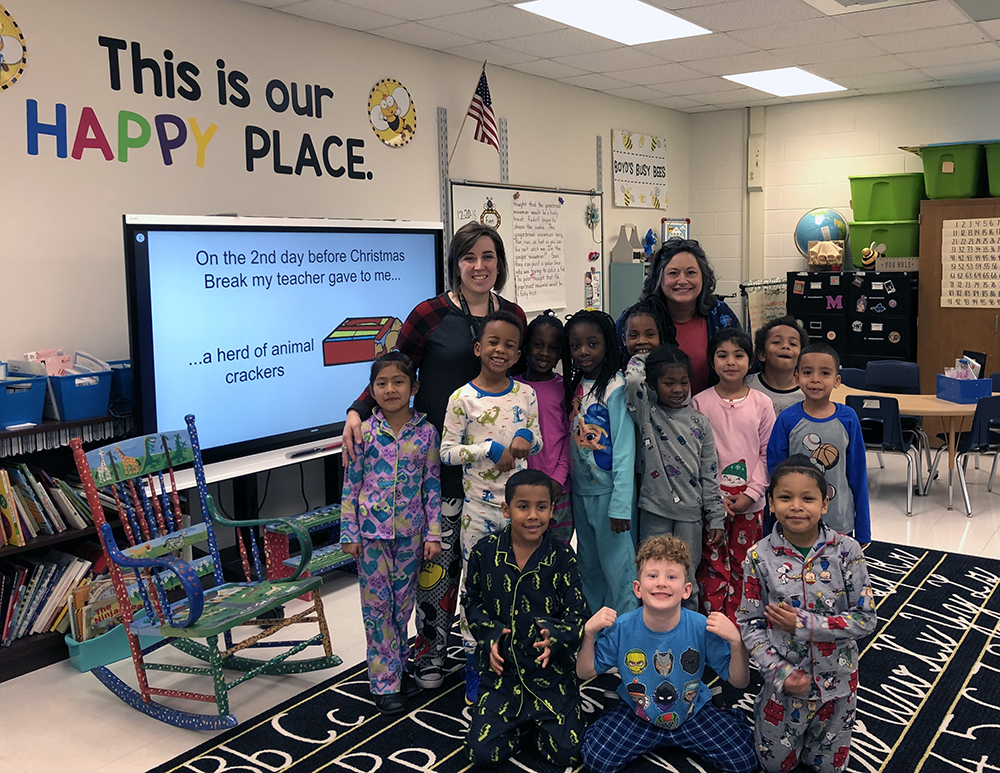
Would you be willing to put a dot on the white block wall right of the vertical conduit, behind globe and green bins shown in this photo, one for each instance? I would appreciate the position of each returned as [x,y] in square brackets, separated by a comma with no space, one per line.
[811,148]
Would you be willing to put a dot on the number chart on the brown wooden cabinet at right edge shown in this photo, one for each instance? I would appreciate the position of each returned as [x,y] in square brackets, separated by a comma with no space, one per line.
[970,263]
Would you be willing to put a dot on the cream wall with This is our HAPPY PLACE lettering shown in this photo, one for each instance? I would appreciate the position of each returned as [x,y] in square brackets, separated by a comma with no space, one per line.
[63,264]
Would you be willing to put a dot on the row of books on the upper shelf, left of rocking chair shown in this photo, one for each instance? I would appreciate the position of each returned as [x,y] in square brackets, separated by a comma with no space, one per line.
[32,503]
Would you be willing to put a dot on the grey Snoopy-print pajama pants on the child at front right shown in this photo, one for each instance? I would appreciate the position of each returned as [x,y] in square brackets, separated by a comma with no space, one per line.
[786,734]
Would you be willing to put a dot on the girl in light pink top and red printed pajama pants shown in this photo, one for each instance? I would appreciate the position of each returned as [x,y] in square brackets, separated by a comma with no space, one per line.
[741,419]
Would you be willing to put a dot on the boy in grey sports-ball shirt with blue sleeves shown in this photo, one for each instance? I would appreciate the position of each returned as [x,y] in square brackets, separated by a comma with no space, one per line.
[830,434]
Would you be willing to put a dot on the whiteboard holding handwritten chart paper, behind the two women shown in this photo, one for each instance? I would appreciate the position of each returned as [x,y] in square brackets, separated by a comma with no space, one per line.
[556,260]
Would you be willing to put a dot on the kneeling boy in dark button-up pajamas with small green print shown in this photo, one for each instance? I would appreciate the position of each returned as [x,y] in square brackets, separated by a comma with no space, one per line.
[525,606]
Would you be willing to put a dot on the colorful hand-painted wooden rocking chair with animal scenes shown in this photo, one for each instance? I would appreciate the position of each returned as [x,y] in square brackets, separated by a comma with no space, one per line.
[161,595]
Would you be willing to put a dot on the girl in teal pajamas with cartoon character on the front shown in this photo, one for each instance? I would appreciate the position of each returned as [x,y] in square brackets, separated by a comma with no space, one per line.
[602,461]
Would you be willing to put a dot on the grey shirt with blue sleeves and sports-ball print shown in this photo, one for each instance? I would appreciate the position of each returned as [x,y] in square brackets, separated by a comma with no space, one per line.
[835,445]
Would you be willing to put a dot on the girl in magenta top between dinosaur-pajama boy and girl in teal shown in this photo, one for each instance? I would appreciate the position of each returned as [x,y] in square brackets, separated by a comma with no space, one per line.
[543,348]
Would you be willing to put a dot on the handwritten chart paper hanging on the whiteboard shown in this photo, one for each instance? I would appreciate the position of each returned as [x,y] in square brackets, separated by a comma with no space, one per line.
[539,263]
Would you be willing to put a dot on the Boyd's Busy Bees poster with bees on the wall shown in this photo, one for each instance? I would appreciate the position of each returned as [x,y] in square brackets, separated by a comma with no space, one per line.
[639,170]
